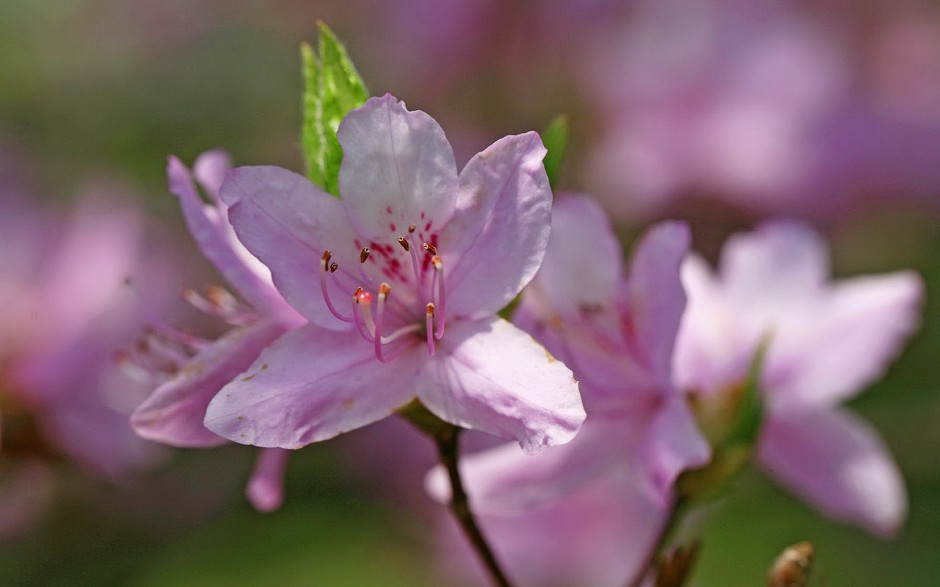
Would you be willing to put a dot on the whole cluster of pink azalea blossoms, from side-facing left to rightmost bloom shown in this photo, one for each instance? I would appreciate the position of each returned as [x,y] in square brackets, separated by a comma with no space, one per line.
[629,382]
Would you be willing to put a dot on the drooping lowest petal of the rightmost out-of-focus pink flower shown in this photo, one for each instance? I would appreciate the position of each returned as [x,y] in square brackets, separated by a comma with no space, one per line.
[838,463]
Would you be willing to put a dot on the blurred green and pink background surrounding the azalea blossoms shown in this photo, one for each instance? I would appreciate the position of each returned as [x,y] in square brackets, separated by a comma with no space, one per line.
[718,112]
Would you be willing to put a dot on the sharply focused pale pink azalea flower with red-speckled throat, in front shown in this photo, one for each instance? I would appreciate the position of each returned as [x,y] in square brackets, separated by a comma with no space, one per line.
[401,280]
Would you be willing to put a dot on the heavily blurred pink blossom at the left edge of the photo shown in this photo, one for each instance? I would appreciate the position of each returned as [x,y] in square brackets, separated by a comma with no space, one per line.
[73,290]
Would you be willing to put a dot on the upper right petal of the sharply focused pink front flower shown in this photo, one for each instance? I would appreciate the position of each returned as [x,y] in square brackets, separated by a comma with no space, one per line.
[497,240]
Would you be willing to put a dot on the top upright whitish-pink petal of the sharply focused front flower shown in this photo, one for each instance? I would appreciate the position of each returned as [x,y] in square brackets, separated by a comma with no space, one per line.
[398,169]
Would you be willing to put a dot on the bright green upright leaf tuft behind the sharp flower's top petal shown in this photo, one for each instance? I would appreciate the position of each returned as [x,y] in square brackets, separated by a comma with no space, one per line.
[332,87]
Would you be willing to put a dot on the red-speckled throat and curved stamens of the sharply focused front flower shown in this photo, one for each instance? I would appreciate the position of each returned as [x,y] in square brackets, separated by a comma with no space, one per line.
[381,318]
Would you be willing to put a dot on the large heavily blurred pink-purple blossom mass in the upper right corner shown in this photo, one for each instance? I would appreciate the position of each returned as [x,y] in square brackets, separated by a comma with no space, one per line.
[762,104]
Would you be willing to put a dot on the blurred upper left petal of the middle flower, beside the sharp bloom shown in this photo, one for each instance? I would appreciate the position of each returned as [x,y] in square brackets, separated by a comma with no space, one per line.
[583,260]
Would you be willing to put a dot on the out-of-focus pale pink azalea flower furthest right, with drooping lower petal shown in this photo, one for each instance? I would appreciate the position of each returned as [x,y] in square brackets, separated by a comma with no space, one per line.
[827,341]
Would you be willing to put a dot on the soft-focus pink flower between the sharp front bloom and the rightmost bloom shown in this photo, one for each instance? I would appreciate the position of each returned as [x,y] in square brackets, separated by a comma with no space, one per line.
[617,335]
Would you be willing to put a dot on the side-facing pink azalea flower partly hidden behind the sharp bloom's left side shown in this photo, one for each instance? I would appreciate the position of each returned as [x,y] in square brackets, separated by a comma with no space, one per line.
[174,413]
